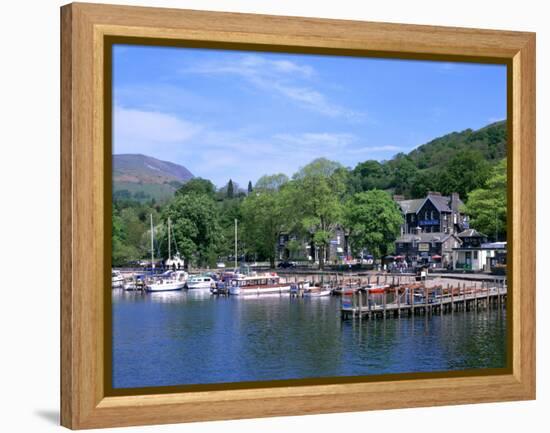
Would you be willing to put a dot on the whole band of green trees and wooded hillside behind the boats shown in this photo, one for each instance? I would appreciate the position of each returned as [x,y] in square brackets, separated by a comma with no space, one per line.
[317,199]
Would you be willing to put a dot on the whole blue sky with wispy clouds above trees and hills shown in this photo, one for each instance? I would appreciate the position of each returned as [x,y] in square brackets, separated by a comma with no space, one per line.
[239,115]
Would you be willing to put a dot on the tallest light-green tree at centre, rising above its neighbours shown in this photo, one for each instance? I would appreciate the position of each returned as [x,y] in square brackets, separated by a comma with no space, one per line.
[316,197]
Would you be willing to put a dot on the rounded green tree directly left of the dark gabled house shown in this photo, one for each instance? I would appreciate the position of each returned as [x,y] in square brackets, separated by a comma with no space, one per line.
[373,221]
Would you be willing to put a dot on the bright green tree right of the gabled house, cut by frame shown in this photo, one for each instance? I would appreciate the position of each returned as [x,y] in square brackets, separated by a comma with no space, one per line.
[487,206]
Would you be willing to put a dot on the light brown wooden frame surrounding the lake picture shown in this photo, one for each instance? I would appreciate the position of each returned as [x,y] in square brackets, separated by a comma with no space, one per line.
[85,225]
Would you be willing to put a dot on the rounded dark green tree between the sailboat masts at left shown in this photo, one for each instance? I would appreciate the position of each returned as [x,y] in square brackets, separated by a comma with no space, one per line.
[195,223]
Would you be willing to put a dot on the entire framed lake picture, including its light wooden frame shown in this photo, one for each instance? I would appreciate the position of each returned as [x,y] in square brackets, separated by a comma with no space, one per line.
[270,216]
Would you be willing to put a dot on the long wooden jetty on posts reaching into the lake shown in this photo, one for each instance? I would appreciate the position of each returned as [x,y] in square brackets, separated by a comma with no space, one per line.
[418,298]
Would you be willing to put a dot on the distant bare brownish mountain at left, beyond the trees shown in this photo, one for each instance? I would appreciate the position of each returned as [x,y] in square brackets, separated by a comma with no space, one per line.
[143,178]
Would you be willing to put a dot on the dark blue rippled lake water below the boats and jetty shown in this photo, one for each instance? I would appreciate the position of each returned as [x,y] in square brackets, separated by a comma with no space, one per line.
[181,338]
